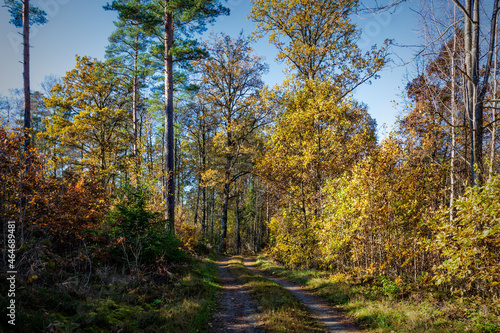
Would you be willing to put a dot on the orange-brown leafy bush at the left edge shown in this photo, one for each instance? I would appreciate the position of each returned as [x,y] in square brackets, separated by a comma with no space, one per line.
[66,210]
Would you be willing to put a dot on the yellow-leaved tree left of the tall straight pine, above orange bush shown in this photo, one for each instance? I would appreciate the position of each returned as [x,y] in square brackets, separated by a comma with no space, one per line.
[88,126]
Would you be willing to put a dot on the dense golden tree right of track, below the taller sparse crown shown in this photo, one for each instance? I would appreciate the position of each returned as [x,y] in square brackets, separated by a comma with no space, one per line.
[314,140]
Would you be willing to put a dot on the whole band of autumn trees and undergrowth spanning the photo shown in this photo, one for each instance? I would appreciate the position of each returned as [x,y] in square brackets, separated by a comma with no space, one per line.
[296,168]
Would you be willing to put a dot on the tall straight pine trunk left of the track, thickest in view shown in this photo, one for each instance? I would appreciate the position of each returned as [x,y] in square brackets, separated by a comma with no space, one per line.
[169,122]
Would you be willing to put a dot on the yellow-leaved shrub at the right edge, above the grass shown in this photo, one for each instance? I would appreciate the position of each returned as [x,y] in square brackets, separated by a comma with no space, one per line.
[470,243]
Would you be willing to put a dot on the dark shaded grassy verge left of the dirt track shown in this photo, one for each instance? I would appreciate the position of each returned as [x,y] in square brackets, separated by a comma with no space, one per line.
[180,301]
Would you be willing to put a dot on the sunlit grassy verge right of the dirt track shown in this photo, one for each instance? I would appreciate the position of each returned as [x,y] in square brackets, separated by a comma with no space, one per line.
[384,306]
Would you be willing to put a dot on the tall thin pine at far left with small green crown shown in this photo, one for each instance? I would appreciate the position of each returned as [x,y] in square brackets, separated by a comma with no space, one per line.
[20,12]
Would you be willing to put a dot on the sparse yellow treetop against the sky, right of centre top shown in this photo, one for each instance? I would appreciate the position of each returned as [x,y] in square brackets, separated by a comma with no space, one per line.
[317,40]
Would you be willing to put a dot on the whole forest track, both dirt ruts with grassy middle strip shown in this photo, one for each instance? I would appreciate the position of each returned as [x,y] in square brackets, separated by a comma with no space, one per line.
[253,301]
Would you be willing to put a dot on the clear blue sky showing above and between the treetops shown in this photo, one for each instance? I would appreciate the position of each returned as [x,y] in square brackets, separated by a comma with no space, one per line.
[82,27]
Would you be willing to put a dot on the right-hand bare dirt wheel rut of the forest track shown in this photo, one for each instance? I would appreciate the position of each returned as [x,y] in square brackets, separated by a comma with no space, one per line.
[332,319]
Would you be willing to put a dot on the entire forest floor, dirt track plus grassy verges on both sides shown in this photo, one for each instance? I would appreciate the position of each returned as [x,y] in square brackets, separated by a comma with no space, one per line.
[235,294]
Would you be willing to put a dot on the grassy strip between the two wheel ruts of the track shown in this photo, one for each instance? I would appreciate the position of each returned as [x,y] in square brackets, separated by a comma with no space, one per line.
[281,311]
